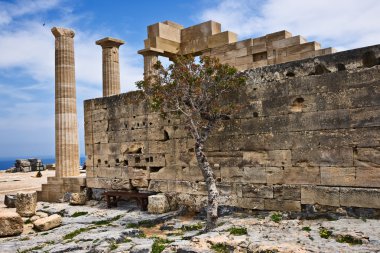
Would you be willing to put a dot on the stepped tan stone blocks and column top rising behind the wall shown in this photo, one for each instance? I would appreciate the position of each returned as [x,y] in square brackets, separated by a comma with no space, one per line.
[170,39]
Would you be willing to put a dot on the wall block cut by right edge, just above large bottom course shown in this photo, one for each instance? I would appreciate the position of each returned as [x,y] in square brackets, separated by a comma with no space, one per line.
[367,177]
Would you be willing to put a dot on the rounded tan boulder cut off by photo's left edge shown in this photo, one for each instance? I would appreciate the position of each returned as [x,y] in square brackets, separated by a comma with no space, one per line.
[10,223]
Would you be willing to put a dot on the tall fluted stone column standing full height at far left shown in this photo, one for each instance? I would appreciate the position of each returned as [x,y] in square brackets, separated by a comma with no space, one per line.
[66,122]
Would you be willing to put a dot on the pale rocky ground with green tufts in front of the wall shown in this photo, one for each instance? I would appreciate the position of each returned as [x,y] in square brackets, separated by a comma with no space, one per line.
[94,228]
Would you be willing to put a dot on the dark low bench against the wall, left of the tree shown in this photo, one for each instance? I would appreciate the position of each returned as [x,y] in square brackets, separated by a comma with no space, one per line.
[113,197]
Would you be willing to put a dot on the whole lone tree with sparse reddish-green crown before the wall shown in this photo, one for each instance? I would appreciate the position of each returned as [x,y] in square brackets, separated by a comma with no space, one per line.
[201,92]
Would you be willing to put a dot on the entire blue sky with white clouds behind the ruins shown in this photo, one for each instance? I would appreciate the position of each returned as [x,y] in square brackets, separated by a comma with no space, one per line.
[27,47]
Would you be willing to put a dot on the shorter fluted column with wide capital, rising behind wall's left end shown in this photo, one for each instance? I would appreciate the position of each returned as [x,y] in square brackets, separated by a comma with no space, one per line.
[111,68]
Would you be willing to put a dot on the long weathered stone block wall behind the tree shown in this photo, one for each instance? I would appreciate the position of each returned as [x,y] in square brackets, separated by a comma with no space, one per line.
[311,134]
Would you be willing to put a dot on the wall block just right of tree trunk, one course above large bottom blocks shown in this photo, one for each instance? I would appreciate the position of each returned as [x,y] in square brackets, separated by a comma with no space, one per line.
[247,174]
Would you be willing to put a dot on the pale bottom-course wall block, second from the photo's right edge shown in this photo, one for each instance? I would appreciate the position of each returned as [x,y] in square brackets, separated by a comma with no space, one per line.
[328,196]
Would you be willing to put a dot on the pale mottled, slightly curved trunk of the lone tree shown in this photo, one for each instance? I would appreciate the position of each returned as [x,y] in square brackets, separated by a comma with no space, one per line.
[212,191]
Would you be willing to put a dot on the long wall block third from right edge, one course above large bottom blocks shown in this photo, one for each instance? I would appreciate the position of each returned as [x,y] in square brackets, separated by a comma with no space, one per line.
[293,175]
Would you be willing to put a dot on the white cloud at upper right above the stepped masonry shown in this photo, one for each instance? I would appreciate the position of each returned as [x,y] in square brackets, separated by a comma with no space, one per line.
[342,24]
